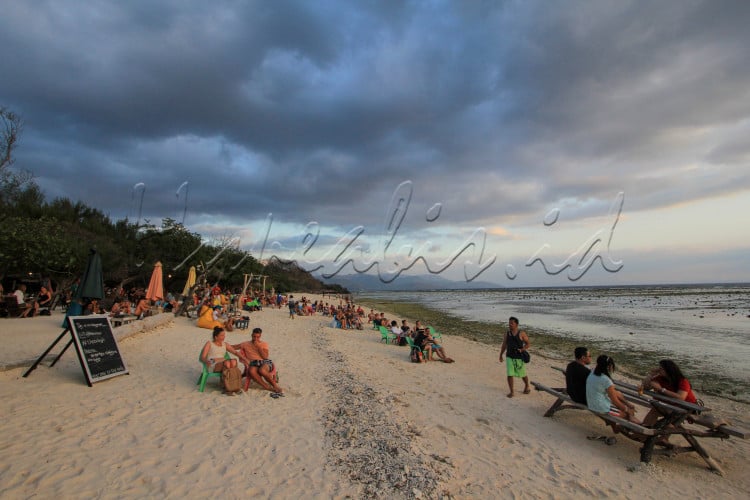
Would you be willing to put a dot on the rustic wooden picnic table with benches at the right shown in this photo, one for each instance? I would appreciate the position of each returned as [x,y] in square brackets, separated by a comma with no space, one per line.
[678,417]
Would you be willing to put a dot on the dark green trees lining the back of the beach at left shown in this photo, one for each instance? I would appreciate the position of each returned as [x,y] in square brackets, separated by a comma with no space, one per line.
[53,239]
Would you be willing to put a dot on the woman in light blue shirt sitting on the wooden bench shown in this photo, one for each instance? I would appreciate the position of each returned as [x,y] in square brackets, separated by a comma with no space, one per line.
[601,395]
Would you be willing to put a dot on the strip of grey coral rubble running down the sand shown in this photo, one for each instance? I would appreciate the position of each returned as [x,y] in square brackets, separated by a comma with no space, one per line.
[363,442]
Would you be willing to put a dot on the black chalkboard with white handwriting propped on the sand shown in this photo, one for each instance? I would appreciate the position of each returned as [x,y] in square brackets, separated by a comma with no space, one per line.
[97,348]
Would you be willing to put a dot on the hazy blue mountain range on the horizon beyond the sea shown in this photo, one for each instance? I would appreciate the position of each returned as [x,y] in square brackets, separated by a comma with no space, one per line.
[368,282]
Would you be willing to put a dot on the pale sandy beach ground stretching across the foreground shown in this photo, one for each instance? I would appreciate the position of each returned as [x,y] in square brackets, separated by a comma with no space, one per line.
[358,420]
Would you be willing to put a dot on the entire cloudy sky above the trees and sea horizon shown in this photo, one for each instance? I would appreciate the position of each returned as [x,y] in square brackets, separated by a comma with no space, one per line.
[601,142]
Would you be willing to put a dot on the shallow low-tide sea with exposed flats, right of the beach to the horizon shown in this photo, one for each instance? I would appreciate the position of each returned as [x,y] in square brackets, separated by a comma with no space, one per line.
[704,328]
